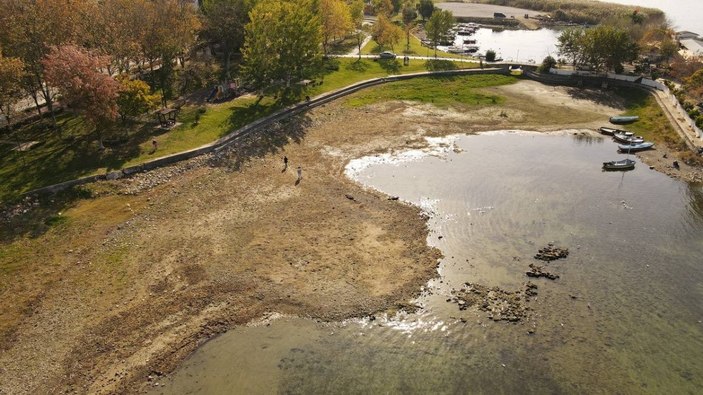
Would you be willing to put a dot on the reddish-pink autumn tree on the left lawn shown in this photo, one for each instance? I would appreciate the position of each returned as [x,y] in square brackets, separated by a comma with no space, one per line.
[75,72]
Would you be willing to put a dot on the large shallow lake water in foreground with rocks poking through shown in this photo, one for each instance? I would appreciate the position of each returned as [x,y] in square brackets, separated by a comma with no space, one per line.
[626,316]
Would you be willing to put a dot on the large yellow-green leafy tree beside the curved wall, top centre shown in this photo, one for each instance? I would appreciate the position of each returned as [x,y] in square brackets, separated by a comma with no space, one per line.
[282,46]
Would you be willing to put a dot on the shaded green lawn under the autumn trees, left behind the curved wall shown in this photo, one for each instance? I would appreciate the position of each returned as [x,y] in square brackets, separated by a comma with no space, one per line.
[75,152]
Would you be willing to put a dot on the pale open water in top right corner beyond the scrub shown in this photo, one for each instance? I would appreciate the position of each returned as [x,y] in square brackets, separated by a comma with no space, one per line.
[685,14]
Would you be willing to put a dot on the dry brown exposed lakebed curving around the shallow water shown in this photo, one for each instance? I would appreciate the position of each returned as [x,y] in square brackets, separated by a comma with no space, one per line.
[128,283]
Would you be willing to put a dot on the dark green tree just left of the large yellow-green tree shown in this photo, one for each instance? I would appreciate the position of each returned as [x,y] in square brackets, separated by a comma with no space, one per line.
[224,22]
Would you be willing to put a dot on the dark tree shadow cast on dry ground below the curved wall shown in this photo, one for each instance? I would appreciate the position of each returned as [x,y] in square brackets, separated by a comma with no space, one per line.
[267,140]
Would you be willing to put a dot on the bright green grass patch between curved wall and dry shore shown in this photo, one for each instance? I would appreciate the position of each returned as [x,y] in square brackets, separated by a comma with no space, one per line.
[440,91]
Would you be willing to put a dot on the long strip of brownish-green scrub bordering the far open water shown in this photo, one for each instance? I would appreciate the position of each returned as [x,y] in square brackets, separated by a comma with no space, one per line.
[585,11]
